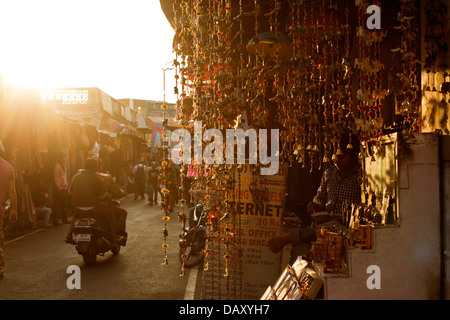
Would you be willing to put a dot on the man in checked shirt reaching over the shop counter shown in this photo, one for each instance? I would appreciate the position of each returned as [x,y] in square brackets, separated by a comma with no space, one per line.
[339,184]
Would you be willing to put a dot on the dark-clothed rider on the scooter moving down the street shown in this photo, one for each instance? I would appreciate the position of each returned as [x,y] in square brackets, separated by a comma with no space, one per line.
[89,197]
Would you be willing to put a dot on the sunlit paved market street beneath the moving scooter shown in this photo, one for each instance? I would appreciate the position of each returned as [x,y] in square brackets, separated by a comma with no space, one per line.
[36,264]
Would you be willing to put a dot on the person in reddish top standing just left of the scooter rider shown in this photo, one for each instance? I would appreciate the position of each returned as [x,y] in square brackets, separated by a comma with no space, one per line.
[60,185]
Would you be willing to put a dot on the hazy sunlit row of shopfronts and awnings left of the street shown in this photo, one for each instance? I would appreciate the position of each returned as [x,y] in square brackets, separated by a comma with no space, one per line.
[38,126]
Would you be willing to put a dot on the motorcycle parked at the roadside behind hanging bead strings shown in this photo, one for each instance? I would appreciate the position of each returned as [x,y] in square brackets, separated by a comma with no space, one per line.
[192,244]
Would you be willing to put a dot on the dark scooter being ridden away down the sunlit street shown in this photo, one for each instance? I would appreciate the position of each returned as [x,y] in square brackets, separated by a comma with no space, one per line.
[91,239]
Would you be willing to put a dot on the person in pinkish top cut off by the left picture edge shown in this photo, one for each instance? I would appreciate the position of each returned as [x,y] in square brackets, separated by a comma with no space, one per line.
[7,192]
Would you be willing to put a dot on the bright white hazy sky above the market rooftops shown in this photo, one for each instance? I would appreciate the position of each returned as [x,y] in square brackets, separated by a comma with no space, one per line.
[118,46]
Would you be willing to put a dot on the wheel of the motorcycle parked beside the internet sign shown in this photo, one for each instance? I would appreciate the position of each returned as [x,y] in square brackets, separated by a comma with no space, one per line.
[195,246]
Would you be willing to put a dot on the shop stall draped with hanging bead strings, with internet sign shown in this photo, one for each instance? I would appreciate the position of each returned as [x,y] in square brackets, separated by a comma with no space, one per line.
[314,72]
